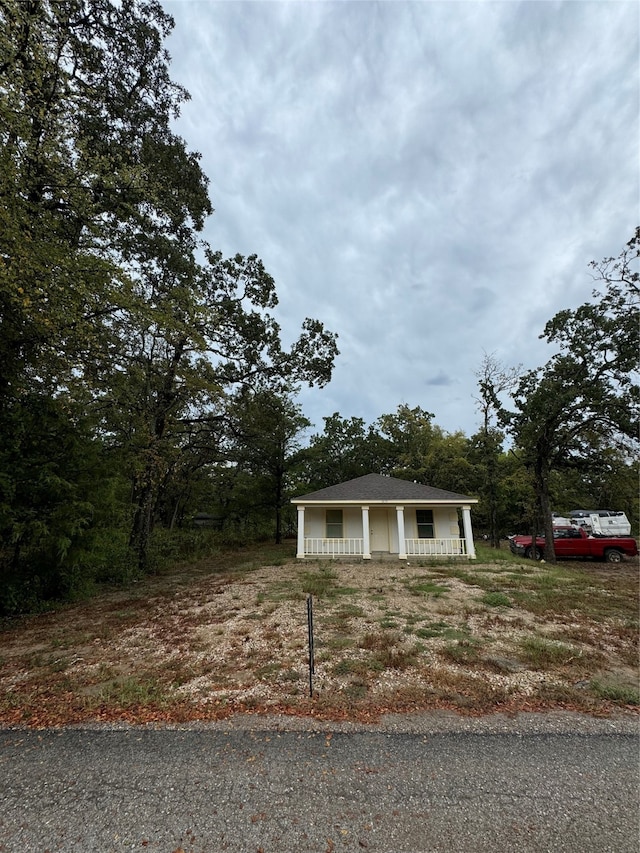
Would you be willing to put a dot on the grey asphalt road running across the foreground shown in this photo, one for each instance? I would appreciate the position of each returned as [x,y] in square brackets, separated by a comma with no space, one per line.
[204,790]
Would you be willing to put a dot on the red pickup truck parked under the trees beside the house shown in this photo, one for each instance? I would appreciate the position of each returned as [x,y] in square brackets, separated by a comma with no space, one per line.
[576,542]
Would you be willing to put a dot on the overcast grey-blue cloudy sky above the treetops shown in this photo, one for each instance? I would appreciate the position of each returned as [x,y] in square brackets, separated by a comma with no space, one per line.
[429,179]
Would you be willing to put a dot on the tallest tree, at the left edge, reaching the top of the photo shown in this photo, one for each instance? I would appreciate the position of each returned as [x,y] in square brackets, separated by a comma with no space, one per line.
[90,174]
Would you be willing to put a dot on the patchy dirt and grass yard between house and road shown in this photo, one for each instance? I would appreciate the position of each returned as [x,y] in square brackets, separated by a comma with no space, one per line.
[228,635]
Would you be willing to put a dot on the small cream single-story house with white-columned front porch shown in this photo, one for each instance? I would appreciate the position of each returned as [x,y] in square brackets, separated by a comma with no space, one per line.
[377,516]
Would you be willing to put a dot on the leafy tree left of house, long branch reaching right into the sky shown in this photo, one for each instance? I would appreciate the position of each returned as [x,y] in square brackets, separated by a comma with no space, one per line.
[196,335]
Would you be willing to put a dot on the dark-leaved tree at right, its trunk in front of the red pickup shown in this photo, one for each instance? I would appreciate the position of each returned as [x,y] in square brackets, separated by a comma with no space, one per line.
[586,399]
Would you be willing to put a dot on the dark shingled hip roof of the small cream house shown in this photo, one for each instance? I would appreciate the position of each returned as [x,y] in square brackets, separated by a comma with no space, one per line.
[374,488]
